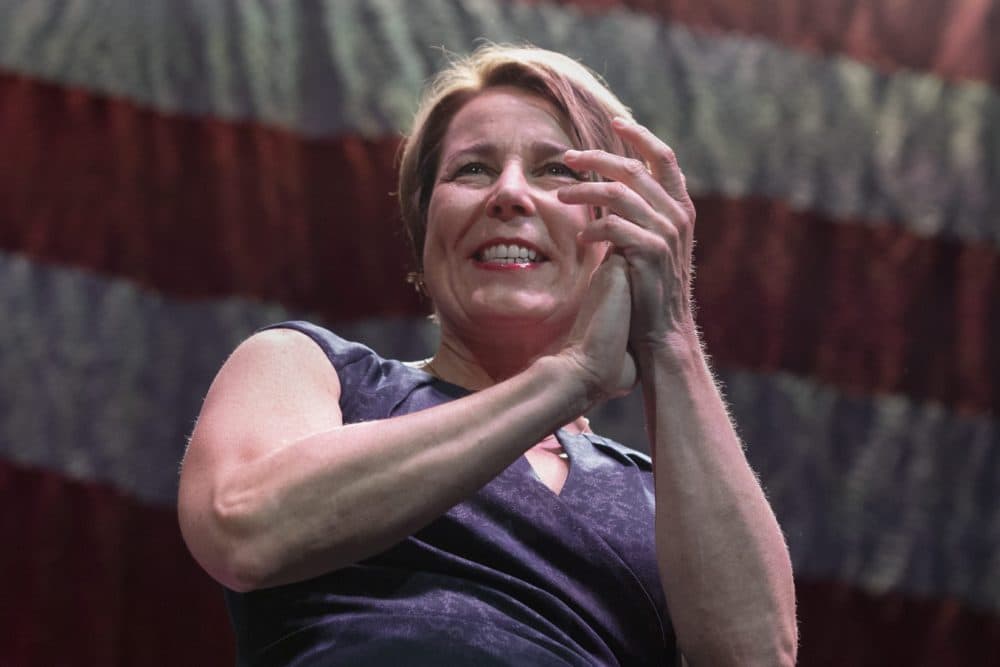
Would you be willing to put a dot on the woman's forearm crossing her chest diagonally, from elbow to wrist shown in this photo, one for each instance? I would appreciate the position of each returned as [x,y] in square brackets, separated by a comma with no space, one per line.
[339,496]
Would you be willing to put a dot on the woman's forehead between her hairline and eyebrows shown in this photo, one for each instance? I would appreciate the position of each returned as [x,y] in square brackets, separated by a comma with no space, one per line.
[506,115]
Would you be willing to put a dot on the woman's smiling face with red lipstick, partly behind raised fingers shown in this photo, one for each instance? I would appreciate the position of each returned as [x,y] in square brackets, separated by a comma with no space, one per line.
[500,248]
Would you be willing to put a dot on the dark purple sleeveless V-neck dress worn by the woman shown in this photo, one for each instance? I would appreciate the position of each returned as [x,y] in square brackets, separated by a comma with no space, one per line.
[513,575]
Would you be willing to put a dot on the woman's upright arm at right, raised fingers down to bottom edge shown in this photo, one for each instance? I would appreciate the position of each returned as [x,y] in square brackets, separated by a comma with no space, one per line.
[723,562]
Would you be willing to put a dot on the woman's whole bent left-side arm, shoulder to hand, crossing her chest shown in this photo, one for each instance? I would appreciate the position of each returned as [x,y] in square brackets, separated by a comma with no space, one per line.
[275,489]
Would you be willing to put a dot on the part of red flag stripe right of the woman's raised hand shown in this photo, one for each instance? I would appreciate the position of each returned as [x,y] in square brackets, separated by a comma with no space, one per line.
[864,307]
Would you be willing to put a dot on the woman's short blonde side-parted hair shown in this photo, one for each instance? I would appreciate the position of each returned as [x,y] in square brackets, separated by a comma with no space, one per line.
[577,92]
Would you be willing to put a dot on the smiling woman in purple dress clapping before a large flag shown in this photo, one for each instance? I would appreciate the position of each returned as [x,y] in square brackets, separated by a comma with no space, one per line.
[365,511]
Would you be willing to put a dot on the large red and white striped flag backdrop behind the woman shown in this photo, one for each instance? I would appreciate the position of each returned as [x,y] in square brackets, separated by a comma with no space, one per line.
[176,173]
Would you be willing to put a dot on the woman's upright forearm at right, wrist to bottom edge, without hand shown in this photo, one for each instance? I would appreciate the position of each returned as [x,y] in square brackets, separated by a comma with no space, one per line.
[723,561]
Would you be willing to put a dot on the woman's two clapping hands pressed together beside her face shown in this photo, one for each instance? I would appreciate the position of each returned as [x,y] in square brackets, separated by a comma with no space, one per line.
[639,302]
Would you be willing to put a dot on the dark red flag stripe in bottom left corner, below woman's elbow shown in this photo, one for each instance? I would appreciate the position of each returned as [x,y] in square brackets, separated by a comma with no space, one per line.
[95,578]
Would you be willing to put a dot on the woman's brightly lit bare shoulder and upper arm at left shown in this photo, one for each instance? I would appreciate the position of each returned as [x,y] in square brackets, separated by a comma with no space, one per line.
[277,387]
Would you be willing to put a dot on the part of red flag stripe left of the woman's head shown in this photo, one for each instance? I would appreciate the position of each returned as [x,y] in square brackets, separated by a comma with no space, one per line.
[200,207]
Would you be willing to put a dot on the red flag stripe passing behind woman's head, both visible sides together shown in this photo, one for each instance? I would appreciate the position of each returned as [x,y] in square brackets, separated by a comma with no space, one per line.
[198,208]
